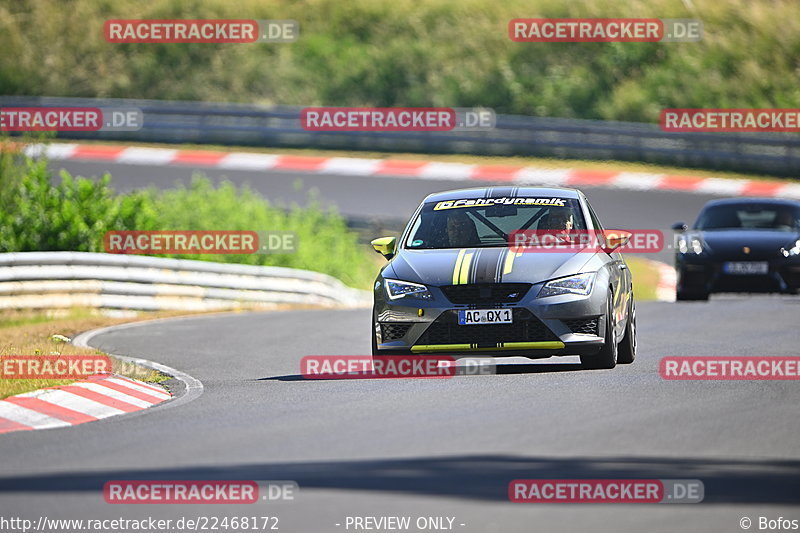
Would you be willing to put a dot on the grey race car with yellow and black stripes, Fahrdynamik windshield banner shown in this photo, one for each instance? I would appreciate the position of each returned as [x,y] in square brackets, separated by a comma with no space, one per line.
[455,285]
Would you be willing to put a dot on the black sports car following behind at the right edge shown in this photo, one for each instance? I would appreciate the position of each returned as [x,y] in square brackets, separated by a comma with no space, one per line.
[739,245]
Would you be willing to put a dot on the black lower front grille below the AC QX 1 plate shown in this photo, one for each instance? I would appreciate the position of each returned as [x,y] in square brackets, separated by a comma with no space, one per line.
[524,328]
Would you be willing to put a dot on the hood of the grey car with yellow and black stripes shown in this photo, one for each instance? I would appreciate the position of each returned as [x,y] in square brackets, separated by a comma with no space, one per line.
[485,265]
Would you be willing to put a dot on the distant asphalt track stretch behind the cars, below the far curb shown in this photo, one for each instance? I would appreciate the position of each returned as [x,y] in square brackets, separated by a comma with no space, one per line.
[393,199]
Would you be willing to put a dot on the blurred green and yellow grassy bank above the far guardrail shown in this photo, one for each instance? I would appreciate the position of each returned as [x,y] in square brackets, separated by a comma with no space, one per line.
[413,53]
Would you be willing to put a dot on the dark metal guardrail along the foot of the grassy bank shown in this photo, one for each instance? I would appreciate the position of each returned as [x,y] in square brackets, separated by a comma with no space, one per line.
[246,125]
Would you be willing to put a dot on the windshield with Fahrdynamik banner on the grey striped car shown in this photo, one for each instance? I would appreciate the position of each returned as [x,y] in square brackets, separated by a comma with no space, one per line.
[486,222]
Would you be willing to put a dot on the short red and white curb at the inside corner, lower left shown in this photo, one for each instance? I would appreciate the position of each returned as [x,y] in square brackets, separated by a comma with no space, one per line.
[92,399]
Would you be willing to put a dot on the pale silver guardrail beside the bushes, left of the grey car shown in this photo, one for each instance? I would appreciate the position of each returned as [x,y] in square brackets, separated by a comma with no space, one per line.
[41,280]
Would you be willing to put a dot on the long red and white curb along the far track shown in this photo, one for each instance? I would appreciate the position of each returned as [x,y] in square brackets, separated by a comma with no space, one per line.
[518,175]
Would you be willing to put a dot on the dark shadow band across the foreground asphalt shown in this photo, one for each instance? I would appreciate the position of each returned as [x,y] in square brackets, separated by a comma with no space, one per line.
[474,477]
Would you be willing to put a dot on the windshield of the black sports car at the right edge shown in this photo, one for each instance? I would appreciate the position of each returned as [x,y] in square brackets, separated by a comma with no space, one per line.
[750,216]
